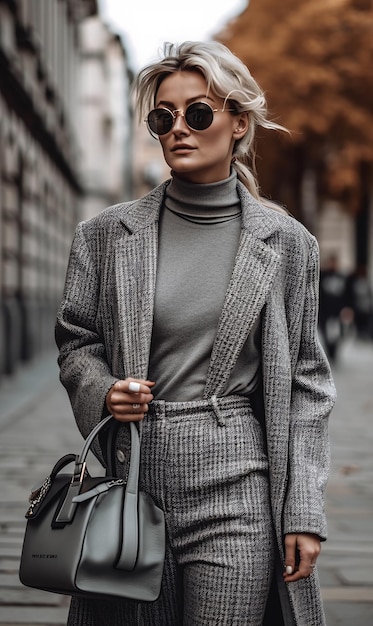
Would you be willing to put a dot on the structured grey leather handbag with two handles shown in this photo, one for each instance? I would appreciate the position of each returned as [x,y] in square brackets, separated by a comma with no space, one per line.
[94,537]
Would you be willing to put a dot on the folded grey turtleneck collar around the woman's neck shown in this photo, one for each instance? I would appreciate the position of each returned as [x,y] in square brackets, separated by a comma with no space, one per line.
[209,203]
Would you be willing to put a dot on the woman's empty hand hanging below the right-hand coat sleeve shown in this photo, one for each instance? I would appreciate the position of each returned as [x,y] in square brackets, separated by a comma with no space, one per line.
[301,552]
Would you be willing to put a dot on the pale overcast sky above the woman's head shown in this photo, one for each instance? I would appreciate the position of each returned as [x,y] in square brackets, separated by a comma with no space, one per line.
[146,24]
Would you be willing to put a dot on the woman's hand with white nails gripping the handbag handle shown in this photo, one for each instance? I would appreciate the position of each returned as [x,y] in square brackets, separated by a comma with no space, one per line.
[128,399]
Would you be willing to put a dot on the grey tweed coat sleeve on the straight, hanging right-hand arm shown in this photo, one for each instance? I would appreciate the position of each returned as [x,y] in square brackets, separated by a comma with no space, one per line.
[313,396]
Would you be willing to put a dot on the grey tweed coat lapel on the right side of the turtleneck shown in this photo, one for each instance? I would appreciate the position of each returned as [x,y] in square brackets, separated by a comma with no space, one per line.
[254,271]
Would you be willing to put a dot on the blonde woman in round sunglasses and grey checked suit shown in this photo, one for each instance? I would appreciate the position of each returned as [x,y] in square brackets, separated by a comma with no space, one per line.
[194,312]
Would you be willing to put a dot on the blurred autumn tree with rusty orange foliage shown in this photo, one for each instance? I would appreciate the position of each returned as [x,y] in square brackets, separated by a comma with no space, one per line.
[314,60]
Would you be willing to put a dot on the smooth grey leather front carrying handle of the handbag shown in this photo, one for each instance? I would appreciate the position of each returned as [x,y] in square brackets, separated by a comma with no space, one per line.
[130,534]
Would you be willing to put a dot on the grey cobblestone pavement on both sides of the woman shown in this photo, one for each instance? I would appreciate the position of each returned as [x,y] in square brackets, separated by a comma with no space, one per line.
[36,427]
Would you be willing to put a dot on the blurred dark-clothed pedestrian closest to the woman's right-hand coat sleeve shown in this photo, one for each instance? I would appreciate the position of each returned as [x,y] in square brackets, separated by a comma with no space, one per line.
[333,298]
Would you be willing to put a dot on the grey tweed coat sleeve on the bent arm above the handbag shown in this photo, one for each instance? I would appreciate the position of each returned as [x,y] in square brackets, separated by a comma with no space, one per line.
[84,370]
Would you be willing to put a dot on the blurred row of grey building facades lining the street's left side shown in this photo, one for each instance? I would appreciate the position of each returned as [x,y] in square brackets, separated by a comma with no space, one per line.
[64,136]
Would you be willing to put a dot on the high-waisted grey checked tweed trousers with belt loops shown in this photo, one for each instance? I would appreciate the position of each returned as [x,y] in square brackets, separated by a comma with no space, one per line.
[204,463]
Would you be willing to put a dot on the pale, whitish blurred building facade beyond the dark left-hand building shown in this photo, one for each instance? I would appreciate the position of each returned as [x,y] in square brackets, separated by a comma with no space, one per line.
[106,135]
